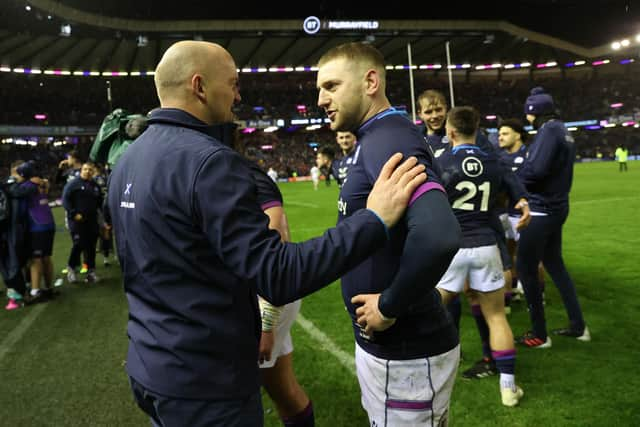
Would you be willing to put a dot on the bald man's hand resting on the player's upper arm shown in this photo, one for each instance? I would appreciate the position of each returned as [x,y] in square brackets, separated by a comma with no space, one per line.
[393,188]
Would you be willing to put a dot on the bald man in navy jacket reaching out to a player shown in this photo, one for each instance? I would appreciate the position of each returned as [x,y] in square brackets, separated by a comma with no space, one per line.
[195,248]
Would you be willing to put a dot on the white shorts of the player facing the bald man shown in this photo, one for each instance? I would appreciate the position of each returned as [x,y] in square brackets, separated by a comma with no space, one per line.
[403,393]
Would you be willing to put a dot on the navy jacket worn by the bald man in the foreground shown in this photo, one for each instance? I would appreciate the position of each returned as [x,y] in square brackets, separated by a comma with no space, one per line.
[194,247]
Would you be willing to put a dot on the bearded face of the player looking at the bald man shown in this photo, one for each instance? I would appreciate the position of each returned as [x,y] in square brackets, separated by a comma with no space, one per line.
[341,91]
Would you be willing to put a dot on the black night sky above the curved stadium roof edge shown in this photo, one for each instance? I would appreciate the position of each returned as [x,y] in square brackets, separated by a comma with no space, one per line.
[587,22]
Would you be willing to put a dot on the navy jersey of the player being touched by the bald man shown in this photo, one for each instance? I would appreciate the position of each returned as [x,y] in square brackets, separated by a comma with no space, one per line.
[426,330]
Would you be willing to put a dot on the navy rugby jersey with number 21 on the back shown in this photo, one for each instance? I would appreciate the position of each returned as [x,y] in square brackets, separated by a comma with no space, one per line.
[473,178]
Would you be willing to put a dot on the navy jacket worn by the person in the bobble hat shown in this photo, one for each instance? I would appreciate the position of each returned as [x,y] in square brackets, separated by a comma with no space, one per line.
[548,169]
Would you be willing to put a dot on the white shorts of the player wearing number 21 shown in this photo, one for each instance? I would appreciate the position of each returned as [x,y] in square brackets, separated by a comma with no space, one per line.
[481,265]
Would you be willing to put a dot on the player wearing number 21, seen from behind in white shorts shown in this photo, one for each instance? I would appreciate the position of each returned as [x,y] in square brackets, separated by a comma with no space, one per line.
[473,179]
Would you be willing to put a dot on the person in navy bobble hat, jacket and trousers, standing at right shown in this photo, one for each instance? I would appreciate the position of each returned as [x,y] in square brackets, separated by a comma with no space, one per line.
[547,173]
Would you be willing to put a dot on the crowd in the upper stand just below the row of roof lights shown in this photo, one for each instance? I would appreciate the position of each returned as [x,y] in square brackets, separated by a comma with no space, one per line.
[70,100]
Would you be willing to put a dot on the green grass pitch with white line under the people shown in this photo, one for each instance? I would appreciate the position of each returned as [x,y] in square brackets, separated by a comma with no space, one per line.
[66,370]
